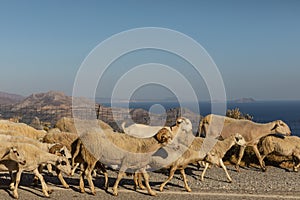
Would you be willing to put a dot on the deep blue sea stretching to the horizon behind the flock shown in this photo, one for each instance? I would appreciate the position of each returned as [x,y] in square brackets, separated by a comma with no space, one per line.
[262,111]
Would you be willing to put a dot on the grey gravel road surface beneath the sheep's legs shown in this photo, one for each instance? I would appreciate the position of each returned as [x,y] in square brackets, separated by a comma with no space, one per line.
[250,183]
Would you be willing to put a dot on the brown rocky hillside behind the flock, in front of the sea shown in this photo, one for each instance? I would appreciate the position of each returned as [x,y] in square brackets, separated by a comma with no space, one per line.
[49,107]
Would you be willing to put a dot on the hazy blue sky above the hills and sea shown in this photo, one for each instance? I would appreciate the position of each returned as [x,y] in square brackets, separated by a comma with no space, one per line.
[255,44]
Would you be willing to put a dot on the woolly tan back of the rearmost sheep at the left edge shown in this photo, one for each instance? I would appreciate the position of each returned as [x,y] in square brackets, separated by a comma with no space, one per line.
[20,129]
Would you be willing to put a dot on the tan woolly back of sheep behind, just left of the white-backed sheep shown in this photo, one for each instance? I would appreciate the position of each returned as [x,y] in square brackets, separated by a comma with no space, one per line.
[66,124]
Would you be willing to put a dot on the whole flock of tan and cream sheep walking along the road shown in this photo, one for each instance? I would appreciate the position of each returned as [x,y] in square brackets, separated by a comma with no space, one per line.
[138,150]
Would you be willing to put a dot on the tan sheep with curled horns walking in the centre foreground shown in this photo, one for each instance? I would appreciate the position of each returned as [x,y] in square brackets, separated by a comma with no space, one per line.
[123,150]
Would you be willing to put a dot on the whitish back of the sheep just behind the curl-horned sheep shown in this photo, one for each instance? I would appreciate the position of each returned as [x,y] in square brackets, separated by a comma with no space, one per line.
[141,130]
